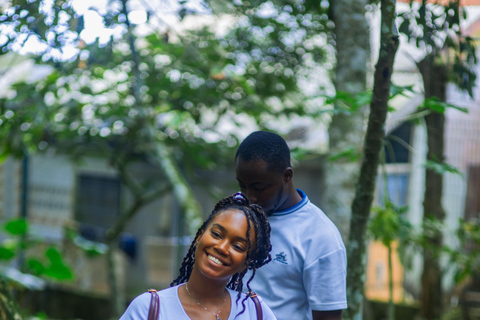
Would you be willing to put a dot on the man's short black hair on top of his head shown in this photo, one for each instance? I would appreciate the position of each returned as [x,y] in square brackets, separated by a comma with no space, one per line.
[266,146]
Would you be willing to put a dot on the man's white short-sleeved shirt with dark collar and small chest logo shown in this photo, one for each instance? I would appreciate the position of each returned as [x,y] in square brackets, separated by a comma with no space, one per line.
[308,267]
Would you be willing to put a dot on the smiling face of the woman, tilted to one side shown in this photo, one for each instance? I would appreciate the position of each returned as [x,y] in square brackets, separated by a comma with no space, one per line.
[222,248]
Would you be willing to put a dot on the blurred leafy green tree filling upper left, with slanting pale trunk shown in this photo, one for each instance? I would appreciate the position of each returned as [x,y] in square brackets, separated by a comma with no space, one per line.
[150,99]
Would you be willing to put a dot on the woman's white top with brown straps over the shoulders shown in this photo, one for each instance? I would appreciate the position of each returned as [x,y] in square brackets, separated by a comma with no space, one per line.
[171,307]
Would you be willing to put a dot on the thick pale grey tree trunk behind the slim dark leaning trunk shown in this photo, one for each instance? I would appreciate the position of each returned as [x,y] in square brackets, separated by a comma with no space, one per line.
[345,131]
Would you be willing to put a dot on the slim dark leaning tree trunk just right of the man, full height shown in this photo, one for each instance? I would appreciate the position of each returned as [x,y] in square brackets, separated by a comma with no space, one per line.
[356,255]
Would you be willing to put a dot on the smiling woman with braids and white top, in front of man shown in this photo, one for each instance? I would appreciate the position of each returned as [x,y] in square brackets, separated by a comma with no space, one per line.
[234,238]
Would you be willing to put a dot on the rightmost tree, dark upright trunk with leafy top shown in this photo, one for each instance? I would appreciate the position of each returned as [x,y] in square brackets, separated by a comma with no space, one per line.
[448,55]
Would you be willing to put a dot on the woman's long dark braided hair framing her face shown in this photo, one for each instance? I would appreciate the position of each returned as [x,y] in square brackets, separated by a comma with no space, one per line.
[257,256]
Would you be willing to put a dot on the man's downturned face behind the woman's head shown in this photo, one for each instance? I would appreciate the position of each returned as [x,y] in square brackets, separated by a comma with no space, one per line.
[261,185]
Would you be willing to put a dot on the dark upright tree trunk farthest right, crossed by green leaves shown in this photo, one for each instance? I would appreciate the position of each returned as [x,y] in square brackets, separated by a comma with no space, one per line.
[434,79]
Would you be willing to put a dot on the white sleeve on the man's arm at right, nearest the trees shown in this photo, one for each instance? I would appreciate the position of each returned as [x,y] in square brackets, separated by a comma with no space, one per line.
[325,281]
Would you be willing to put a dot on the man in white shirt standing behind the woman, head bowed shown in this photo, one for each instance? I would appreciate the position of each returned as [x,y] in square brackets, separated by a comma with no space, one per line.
[306,278]
